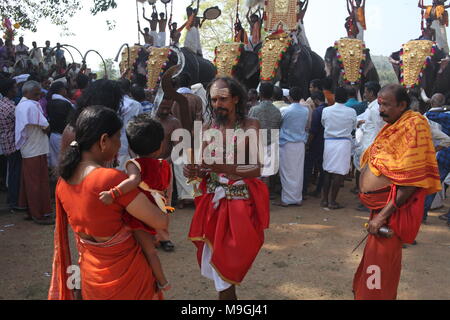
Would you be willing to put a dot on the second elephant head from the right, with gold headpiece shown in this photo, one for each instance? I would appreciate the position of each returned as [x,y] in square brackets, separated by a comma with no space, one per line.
[349,63]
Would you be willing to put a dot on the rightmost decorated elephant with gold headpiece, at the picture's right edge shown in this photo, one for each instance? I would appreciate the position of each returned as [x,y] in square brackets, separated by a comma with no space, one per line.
[421,67]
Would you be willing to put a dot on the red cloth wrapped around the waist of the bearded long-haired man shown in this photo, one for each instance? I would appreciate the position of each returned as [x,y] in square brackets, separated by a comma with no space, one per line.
[231,225]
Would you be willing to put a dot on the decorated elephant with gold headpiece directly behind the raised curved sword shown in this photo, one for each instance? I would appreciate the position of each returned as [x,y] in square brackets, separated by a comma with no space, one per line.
[149,63]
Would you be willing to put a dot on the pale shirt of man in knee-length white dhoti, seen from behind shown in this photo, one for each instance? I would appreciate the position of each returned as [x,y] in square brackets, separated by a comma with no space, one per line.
[339,121]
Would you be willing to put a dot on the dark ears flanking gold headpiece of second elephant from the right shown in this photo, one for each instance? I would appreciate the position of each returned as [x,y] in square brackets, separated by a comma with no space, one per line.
[333,70]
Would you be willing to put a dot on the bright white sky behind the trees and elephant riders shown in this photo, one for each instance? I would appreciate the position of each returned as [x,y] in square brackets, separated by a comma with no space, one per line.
[390,23]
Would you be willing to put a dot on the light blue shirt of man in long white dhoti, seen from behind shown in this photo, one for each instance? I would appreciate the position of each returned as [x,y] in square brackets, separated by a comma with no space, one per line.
[293,125]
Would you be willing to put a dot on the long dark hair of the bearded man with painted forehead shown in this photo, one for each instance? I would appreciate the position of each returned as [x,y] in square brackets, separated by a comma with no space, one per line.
[236,90]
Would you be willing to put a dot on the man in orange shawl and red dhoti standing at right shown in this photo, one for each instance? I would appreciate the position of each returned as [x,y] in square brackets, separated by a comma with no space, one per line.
[398,170]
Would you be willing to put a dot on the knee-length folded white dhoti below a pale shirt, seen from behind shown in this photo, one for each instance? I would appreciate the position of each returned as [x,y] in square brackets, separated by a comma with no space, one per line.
[337,156]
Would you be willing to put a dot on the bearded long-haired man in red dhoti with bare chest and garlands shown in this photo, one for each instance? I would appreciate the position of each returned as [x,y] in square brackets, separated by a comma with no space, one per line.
[232,211]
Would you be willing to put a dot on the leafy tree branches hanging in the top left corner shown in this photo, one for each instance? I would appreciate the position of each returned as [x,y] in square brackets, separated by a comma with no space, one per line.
[28,13]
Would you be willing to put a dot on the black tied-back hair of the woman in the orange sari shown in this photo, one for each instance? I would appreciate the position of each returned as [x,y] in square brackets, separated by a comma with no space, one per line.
[91,124]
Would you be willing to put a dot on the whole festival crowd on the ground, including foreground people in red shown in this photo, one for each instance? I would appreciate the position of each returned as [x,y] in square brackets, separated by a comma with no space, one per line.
[103,148]
